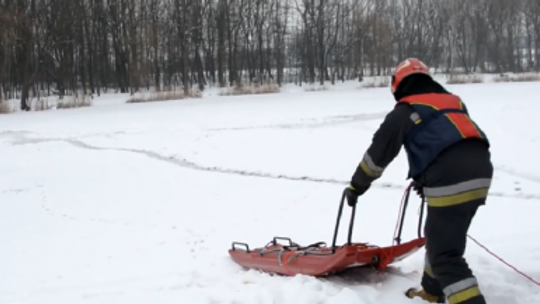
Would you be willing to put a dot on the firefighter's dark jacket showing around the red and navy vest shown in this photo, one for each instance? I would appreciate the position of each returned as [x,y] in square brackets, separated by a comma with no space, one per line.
[465,160]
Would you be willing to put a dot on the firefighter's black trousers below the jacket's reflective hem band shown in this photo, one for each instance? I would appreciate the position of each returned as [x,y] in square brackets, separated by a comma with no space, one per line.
[446,272]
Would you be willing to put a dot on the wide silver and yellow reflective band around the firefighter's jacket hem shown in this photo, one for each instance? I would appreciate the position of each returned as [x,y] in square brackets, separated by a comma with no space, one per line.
[458,193]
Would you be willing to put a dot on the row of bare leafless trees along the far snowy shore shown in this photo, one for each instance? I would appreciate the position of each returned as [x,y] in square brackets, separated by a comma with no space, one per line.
[91,46]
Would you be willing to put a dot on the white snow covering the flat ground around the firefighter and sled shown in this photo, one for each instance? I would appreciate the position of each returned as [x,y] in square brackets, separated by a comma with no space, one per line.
[139,203]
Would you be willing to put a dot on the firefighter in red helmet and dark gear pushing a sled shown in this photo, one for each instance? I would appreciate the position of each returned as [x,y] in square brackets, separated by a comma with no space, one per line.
[449,162]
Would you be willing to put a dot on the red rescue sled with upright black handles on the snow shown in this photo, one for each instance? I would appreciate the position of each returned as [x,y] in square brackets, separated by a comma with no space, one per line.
[320,260]
